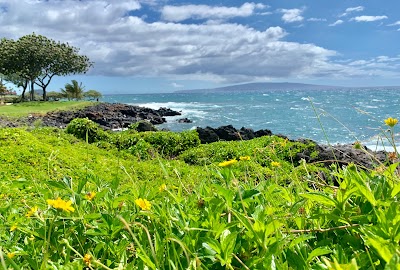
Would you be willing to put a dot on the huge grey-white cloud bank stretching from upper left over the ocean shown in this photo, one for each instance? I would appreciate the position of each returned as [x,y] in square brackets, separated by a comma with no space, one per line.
[115,35]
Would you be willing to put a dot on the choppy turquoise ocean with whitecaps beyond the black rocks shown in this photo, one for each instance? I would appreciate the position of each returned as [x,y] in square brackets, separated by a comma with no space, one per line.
[325,116]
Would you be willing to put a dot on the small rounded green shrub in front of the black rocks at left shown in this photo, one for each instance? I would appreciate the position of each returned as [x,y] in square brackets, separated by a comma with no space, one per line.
[86,129]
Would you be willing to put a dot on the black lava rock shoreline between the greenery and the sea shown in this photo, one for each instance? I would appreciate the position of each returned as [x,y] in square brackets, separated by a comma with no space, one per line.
[116,116]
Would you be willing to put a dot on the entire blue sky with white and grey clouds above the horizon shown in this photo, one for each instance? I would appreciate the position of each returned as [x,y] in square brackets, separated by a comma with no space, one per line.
[157,46]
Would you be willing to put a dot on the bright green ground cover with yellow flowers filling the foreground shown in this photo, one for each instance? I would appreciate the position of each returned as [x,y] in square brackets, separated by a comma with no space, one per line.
[155,200]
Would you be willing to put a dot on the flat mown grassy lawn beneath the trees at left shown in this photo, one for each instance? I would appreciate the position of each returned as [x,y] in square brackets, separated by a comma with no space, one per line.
[39,107]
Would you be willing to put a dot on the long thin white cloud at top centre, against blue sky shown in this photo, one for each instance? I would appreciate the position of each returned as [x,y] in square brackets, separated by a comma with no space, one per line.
[181,13]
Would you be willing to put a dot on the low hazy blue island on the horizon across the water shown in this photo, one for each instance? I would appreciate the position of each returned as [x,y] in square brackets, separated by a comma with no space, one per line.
[263,86]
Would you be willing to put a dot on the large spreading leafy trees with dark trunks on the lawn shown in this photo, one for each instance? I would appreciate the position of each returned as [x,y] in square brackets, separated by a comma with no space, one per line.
[37,59]
